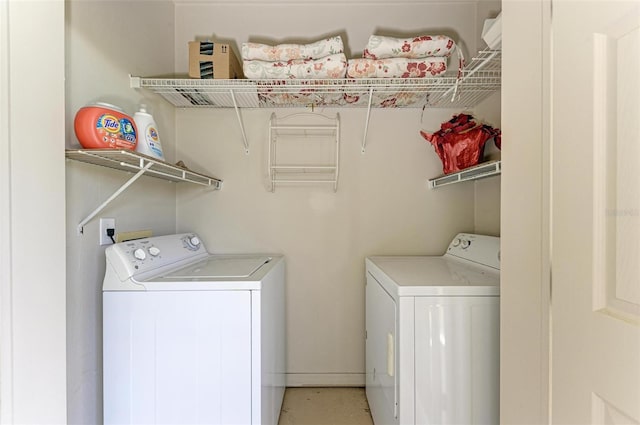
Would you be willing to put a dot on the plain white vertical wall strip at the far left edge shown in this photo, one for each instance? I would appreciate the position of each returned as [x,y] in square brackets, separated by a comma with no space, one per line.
[32,274]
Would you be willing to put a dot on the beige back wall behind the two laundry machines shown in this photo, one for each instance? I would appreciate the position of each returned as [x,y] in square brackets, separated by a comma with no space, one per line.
[382,205]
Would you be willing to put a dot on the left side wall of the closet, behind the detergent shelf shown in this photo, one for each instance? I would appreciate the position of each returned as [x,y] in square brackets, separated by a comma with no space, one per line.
[105,41]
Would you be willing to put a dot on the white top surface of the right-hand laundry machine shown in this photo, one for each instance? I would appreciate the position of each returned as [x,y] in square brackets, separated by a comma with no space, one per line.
[436,276]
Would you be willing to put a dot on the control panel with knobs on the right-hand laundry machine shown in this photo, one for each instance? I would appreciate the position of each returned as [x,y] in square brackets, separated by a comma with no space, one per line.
[481,249]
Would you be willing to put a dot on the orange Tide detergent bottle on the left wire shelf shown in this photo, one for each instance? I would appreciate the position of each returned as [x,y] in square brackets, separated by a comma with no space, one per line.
[105,126]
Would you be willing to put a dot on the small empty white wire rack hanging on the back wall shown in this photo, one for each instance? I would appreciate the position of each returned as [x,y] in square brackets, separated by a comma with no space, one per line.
[304,148]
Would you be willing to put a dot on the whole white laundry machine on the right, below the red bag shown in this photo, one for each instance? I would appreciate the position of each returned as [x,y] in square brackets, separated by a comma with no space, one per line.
[433,335]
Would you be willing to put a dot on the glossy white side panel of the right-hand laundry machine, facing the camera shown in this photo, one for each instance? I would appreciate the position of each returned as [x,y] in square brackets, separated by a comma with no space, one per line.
[457,360]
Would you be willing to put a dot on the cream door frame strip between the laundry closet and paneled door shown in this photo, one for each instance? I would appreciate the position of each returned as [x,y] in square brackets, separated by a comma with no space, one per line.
[525,212]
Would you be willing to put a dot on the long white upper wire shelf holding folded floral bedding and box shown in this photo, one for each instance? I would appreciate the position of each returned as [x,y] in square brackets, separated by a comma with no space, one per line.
[480,78]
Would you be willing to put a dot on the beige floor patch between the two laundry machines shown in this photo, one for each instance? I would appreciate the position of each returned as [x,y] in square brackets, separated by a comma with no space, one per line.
[325,406]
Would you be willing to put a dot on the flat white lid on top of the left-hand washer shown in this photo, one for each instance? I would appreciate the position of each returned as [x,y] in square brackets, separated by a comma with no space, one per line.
[220,267]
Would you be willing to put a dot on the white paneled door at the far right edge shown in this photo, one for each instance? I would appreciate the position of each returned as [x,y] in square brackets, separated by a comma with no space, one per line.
[596,212]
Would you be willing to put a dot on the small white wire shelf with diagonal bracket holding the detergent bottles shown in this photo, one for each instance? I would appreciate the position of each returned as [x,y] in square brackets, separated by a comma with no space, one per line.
[131,161]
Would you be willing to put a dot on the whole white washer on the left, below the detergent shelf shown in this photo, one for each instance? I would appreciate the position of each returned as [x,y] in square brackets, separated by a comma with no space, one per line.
[191,337]
